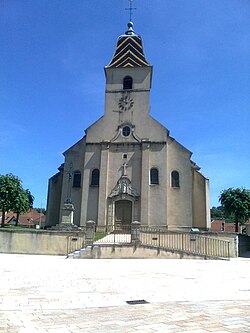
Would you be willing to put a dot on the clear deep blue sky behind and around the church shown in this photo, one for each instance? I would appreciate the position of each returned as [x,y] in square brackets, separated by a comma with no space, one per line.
[52,81]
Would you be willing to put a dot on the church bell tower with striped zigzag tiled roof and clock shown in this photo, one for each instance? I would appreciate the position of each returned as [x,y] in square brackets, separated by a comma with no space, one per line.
[128,76]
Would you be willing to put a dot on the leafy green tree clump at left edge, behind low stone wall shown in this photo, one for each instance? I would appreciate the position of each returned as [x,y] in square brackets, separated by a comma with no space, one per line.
[13,196]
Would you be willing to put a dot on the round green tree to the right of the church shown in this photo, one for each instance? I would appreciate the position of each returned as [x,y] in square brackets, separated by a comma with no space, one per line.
[236,204]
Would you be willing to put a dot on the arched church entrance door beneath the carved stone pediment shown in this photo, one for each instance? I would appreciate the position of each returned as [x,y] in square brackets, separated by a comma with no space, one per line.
[123,212]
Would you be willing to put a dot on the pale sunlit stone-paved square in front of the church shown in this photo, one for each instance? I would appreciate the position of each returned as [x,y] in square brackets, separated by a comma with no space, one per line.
[55,295]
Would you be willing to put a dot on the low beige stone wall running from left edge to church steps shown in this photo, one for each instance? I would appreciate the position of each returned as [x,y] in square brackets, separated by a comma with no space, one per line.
[40,242]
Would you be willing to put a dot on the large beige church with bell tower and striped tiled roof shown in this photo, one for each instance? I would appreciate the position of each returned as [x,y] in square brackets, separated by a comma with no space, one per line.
[127,167]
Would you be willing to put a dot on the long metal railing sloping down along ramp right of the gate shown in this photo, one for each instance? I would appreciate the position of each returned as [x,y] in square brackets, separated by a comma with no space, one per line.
[186,242]
